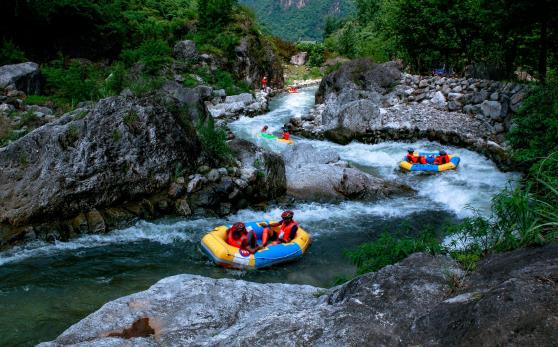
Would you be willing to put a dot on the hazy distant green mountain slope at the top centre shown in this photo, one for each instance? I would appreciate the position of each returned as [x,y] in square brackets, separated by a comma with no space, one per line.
[298,19]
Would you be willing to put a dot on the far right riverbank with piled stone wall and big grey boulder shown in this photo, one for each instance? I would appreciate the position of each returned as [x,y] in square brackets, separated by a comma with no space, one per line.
[373,103]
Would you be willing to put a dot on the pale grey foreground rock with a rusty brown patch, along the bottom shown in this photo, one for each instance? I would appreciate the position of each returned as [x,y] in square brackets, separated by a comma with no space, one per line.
[422,301]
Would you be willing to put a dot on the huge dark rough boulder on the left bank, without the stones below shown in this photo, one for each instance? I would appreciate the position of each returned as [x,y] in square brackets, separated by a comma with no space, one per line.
[116,150]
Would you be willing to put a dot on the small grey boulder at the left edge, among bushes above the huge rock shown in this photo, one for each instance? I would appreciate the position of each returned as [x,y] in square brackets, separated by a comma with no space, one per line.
[25,77]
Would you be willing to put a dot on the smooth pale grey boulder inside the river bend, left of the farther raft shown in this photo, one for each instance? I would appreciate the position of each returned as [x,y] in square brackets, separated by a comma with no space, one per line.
[317,174]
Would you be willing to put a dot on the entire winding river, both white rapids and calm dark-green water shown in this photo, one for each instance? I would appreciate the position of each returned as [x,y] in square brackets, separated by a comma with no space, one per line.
[44,288]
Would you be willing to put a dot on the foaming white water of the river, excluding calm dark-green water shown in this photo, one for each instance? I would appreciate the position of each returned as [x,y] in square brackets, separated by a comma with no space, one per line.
[463,192]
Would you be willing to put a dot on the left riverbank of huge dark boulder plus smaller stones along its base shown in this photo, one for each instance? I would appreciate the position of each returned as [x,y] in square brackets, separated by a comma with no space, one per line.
[123,158]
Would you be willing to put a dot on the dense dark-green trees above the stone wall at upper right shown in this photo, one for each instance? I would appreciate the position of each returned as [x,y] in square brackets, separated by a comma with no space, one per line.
[497,36]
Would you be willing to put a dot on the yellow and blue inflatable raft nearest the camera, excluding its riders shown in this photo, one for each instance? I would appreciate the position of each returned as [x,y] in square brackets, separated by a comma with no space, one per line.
[215,246]
